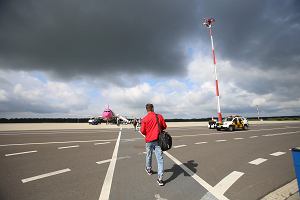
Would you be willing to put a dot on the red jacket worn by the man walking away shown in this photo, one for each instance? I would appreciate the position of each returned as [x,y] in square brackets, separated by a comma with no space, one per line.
[149,126]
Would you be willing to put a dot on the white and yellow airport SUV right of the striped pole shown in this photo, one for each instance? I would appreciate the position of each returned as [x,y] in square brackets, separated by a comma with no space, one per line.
[233,123]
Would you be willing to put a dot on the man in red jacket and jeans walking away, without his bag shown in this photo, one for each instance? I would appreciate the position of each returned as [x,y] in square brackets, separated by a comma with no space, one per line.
[150,129]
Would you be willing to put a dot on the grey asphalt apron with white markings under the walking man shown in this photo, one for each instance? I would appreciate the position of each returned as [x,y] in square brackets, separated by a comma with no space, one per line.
[92,164]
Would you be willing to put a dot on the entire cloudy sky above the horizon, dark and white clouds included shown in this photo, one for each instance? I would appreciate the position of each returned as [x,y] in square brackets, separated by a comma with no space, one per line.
[71,58]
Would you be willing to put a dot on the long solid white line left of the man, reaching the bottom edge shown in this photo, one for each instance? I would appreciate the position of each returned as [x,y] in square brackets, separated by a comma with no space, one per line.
[105,191]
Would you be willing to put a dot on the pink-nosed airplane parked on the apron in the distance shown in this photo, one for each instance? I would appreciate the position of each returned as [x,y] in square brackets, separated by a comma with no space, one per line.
[109,116]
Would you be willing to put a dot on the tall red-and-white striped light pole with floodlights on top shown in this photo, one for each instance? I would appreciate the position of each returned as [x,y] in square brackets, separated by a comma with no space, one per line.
[208,24]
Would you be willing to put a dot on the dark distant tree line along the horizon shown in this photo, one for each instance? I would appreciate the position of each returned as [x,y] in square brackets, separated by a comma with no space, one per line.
[85,120]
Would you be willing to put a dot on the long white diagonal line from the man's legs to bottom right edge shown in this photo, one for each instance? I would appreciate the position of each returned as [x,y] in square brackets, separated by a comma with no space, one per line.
[203,183]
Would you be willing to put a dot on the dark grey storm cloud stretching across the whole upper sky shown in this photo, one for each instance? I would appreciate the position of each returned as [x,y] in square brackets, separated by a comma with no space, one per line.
[70,38]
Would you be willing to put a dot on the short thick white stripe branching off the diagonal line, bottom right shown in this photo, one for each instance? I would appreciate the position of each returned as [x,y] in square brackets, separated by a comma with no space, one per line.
[228,181]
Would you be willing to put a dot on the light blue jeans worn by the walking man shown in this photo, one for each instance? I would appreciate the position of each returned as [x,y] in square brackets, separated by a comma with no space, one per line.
[150,147]
